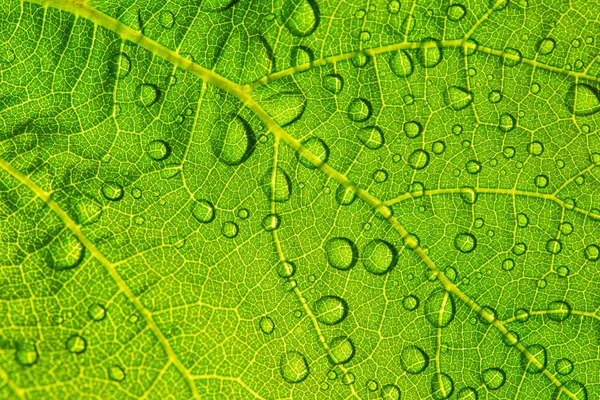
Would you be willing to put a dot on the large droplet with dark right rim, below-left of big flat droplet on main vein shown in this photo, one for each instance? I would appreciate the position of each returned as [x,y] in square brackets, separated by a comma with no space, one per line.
[233,142]
